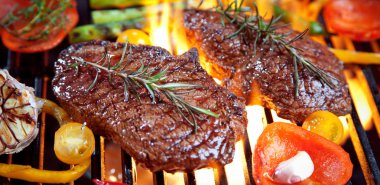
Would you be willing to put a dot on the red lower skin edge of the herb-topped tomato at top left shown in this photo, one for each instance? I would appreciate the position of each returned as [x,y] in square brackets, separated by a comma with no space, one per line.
[21,45]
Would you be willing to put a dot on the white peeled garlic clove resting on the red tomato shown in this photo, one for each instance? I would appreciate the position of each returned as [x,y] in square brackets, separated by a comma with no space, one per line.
[295,169]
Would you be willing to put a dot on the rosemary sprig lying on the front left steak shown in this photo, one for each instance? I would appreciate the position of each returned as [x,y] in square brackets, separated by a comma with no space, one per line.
[144,78]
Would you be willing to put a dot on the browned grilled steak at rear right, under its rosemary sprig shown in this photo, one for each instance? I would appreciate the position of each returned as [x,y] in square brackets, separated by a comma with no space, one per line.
[267,77]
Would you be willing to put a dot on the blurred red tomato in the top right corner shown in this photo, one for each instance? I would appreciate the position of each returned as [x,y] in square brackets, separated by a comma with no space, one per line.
[356,19]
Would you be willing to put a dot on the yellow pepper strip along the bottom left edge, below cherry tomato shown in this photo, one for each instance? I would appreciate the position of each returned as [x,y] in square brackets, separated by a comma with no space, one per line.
[30,174]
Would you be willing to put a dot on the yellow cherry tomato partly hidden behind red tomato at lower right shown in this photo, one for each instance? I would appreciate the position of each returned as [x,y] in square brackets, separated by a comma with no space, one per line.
[325,124]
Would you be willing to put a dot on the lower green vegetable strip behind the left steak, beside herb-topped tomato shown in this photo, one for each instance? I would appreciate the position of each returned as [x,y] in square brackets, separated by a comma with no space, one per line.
[102,31]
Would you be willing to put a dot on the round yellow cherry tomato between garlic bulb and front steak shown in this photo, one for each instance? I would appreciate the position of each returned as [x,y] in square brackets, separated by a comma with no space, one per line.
[72,144]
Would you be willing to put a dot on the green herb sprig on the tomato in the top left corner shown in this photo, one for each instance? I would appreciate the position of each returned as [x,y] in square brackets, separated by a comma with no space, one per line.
[40,12]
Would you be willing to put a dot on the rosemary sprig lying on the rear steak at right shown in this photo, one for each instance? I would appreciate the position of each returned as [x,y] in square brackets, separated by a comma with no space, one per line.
[265,32]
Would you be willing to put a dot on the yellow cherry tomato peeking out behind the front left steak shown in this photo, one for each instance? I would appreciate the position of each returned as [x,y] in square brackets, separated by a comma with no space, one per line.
[134,36]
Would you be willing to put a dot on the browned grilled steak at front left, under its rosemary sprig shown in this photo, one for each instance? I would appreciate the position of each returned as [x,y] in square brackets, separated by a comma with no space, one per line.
[154,134]
